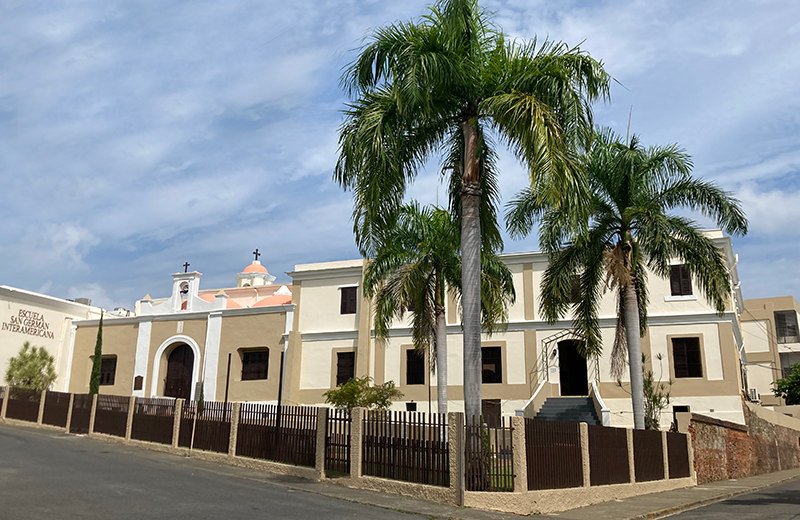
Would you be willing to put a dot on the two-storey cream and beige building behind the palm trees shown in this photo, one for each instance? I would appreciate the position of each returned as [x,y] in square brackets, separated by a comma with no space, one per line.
[331,341]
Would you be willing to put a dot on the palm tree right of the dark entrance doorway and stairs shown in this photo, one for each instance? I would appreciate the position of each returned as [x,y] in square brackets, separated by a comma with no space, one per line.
[631,230]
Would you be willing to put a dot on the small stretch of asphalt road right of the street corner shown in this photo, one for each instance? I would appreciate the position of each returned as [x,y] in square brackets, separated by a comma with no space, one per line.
[780,502]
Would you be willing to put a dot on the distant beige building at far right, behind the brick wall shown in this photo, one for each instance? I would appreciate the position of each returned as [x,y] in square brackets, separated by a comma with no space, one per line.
[772,344]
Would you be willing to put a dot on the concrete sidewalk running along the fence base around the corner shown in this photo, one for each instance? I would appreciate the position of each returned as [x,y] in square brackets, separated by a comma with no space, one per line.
[655,505]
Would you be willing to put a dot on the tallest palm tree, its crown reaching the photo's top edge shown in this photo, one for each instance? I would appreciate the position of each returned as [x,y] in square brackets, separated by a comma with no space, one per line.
[435,88]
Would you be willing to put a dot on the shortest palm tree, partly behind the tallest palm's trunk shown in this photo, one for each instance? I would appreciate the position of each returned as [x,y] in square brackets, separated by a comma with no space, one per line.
[416,263]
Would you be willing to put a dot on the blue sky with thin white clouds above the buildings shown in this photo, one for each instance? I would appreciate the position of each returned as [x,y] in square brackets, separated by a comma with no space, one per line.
[135,136]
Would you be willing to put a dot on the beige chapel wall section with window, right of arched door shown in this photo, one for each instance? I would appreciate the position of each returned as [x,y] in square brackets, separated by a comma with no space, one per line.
[240,333]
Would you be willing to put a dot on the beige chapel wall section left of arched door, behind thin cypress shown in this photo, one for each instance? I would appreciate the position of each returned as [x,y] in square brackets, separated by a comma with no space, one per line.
[118,340]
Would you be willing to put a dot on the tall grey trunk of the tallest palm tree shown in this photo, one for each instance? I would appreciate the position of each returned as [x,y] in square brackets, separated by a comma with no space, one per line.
[471,270]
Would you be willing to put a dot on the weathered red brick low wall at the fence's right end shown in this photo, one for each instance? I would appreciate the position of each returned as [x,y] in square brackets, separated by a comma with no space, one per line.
[723,450]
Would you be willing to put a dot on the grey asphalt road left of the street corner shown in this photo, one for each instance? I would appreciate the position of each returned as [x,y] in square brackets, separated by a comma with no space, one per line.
[49,475]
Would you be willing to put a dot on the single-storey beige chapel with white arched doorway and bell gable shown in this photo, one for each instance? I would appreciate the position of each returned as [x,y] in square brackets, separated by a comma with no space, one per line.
[232,340]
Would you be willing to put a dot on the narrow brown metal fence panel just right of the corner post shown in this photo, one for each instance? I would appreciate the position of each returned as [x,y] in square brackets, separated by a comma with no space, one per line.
[489,457]
